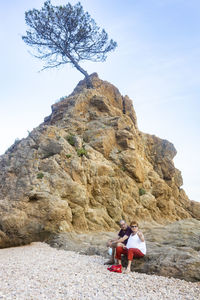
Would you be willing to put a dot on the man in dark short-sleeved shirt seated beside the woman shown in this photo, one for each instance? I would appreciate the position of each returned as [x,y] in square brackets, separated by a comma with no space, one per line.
[121,240]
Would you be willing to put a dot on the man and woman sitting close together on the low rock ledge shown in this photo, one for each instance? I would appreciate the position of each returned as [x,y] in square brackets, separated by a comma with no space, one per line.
[130,241]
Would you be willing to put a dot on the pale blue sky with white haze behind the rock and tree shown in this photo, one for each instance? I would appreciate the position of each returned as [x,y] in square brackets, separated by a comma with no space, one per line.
[156,63]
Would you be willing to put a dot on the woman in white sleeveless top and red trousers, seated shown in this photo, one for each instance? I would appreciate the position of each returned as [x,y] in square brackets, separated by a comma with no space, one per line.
[135,247]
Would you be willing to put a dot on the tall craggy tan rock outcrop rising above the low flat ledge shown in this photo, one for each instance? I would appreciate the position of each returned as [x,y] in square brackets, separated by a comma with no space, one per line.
[85,168]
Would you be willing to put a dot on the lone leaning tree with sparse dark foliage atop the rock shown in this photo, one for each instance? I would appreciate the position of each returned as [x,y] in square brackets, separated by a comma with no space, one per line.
[66,34]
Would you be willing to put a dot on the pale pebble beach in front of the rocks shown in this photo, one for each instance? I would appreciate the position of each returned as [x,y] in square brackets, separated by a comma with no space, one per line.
[38,271]
